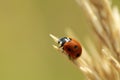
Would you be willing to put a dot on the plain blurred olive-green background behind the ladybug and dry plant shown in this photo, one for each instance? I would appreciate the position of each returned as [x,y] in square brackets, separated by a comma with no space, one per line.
[25,46]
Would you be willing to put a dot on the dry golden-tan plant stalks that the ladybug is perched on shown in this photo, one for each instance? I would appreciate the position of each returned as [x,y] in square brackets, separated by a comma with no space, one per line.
[103,62]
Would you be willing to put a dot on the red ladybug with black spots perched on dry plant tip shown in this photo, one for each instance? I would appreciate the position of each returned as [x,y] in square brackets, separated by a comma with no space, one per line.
[71,47]
